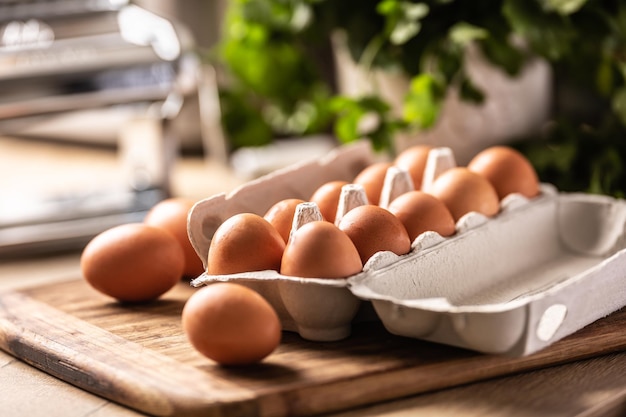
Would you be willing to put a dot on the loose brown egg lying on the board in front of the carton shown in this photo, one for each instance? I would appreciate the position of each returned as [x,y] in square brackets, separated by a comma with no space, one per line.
[231,324]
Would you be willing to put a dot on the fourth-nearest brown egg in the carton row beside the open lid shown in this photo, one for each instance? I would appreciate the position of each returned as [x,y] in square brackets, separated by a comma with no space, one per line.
[462,191]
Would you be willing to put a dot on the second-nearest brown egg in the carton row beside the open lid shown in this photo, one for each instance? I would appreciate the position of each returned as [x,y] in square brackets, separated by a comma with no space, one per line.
[374,229]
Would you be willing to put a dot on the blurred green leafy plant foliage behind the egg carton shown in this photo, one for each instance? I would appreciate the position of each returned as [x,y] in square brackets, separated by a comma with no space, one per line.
[279,58]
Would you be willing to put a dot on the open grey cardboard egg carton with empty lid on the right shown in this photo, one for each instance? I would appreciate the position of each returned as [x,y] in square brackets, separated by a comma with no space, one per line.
[511,284]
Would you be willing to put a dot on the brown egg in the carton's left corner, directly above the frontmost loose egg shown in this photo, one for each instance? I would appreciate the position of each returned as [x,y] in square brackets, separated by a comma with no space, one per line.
[245,242]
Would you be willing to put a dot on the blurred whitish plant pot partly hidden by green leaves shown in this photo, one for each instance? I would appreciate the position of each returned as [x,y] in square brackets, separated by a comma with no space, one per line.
[513,107]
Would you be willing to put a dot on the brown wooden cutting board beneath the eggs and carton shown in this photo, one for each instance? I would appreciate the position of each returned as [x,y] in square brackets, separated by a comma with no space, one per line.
[138,356]
